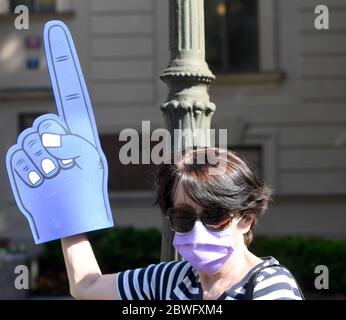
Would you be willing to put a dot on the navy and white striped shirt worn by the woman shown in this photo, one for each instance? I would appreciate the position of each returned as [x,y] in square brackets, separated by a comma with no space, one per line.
[178,280]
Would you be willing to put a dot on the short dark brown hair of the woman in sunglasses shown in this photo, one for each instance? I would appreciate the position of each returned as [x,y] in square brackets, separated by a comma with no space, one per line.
[236,187]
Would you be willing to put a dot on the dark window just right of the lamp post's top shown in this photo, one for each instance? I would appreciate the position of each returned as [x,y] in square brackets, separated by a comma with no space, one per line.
[231,31]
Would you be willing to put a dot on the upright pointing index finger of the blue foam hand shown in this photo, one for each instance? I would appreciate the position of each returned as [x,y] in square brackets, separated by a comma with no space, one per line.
[69,88]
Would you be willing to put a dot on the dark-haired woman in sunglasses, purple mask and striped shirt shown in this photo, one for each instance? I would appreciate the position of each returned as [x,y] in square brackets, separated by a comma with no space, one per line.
[212,207]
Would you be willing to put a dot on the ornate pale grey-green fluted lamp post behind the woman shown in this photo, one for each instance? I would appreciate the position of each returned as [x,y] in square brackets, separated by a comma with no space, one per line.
[187,77]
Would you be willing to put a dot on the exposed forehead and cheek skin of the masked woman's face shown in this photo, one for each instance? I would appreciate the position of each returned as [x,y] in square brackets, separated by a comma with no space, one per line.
[181,200]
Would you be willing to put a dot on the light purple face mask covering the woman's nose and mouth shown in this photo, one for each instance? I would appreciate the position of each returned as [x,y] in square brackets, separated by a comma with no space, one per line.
[207,251]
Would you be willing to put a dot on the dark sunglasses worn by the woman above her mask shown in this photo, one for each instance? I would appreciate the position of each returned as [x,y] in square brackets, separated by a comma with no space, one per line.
[183,219]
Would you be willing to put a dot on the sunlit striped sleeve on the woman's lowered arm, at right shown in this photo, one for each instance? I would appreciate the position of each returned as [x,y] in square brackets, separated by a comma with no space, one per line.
[276,283]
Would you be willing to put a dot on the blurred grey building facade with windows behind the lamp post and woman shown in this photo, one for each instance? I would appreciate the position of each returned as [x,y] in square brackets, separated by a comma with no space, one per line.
[279,90]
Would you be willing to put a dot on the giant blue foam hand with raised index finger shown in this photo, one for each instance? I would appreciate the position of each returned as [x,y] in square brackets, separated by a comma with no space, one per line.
[57,170]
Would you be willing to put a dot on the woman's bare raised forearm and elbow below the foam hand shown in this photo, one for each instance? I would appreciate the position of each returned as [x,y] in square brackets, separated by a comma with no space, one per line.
[85,277]
